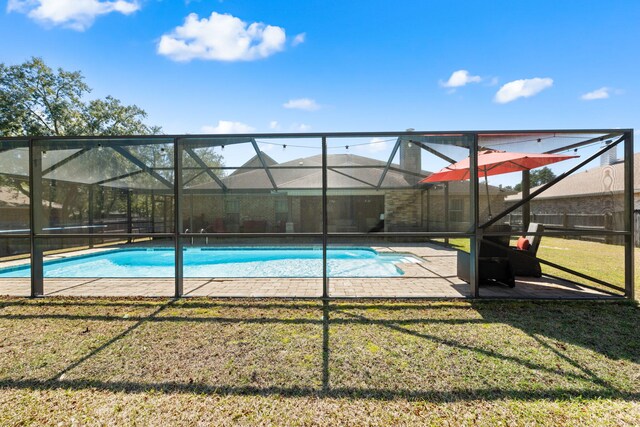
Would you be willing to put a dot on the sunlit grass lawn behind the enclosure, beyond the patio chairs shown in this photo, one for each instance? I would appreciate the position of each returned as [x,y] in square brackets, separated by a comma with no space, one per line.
[599,260]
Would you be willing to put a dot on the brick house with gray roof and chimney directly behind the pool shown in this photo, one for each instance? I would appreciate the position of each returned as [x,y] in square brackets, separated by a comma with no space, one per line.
[361,192]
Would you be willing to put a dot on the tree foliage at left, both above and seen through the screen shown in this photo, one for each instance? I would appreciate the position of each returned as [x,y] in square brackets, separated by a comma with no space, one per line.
[38,101]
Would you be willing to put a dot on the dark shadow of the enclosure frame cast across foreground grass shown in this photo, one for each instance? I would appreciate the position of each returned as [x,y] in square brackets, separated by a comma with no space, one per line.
[606,328]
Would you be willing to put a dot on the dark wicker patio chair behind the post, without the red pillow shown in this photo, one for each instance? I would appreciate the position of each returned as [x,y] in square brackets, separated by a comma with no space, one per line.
[494,265]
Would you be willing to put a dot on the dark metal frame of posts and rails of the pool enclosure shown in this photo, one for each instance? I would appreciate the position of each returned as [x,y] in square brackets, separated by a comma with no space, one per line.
[186,143]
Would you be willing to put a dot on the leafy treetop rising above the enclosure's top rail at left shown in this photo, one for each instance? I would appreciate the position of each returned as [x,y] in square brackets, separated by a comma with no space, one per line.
[38,101]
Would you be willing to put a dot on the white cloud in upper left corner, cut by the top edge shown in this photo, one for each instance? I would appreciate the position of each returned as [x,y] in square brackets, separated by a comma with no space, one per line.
[75,14]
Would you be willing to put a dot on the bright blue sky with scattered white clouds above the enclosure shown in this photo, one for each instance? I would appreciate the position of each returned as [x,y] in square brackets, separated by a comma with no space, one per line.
[344,65]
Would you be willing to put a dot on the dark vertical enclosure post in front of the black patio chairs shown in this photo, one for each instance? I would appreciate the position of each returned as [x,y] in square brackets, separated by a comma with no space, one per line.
[474,244]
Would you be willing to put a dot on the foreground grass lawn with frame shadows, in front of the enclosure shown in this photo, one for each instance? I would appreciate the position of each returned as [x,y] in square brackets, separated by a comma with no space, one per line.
[288,362]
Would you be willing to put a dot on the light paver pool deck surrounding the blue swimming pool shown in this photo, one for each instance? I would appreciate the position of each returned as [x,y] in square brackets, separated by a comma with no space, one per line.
[433,277]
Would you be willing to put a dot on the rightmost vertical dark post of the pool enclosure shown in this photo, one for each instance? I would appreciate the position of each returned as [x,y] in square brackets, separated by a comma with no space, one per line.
[628,217]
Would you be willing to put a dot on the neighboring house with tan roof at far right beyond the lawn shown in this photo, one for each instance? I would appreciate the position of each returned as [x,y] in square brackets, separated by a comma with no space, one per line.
[592,198]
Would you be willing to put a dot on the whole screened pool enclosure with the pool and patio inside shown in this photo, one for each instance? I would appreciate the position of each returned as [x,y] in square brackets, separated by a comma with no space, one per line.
[318,215]
